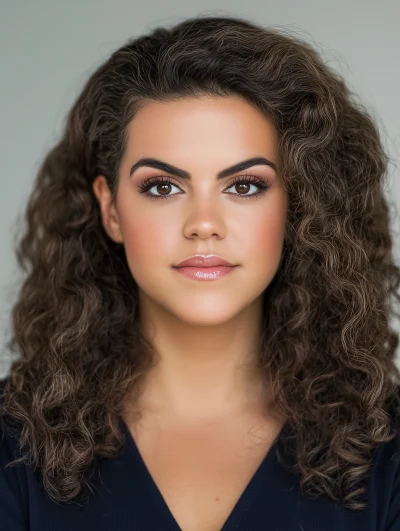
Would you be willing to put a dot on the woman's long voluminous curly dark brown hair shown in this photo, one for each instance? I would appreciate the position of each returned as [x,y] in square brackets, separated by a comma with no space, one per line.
[328,351]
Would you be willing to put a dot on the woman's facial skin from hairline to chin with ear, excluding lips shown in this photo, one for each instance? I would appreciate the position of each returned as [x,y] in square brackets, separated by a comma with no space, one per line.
[200,214]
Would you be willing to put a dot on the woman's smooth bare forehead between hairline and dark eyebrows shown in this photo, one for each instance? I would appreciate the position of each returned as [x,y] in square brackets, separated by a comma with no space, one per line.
[199,124]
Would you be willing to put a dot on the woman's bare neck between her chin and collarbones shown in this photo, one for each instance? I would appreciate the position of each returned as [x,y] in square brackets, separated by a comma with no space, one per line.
[203,372]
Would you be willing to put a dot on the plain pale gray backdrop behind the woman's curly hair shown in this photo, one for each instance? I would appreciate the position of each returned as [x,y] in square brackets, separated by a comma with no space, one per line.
[48,48]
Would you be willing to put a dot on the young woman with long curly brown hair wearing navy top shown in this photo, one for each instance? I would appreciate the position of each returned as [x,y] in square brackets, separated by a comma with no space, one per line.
[203,333]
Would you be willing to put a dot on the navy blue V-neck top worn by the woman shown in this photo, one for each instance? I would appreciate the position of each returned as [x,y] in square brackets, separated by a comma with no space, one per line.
[125,497]
